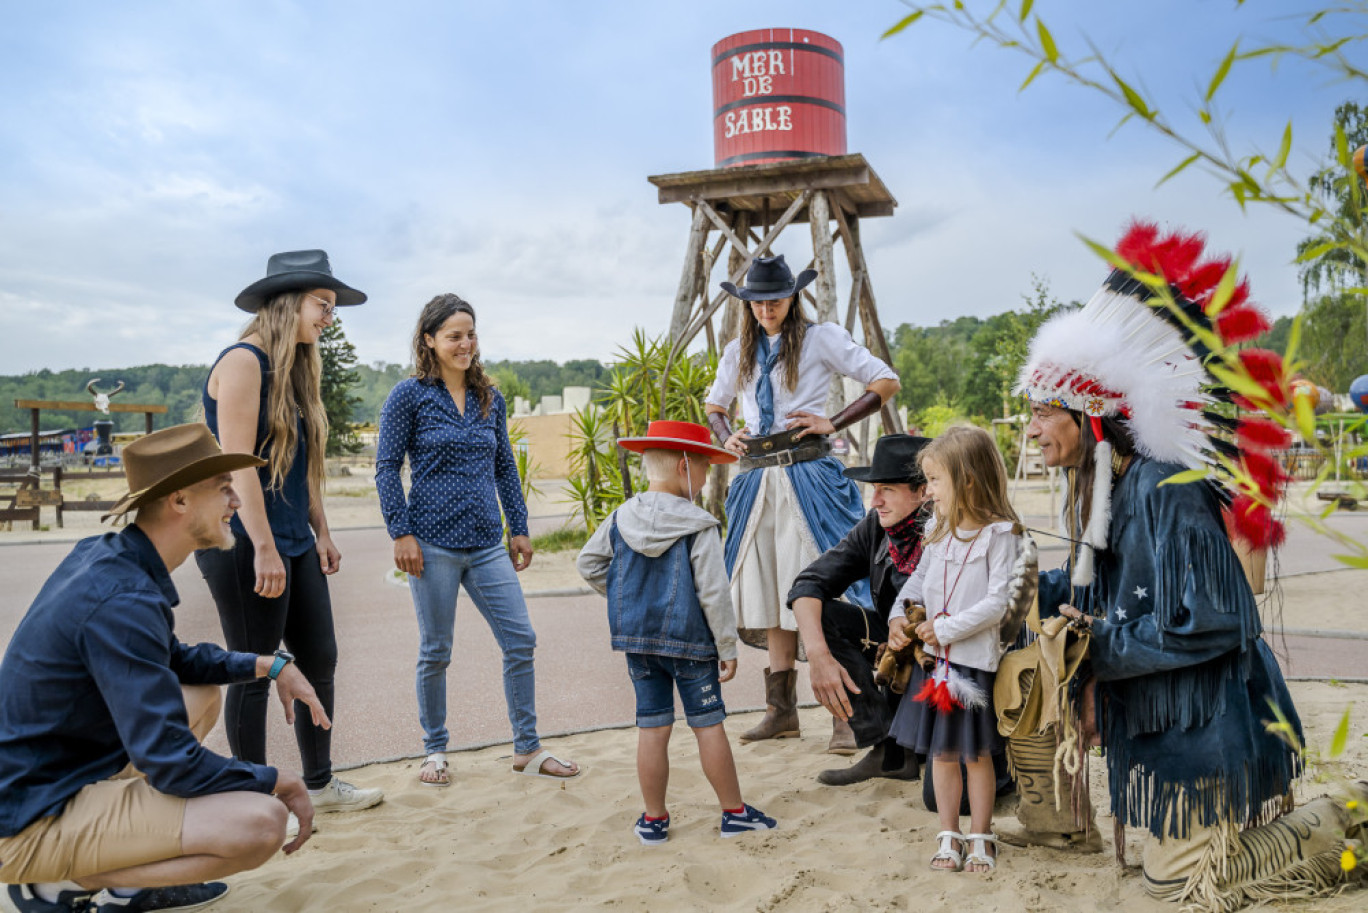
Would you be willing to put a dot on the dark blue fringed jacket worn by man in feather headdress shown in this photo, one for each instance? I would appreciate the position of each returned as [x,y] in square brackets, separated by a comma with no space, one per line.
[1184,680]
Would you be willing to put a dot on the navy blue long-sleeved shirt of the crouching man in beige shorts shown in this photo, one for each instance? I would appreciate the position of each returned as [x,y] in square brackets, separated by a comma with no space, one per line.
[92,681]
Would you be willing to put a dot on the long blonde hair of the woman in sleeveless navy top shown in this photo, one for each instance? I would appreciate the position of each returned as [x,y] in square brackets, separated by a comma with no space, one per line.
[296,377]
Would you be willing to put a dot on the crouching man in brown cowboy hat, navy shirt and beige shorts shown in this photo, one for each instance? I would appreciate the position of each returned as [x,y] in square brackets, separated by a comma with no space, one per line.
[105,786]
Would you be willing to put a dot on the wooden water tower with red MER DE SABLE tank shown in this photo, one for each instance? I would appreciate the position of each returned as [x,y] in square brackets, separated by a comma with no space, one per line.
[779,128]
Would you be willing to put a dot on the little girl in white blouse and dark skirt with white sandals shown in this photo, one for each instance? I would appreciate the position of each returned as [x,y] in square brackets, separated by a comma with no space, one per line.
[964,580]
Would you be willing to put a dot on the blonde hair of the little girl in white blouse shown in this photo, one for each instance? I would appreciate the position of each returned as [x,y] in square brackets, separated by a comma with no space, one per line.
[977,477]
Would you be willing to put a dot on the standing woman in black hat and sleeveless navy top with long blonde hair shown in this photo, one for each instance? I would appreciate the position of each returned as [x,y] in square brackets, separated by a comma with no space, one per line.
[263,398]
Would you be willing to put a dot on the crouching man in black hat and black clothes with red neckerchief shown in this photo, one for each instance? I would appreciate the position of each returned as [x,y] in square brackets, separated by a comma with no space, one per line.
[841,637]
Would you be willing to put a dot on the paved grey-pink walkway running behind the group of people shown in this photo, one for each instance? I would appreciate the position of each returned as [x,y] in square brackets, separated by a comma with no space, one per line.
[582,684]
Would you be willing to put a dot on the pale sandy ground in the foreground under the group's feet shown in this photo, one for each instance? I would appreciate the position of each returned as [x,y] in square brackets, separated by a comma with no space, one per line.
[499,843]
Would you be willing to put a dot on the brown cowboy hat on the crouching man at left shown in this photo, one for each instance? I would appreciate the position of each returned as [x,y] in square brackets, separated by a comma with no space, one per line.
[174,459]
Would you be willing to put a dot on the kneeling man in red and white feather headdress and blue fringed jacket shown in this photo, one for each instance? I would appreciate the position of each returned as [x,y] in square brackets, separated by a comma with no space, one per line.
[1146,400]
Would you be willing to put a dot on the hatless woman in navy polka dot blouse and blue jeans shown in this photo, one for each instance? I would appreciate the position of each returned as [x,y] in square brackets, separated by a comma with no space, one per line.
[452,425]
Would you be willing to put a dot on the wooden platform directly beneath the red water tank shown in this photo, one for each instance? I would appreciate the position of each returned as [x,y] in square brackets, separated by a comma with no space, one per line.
[849,181]
